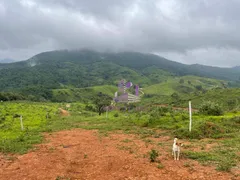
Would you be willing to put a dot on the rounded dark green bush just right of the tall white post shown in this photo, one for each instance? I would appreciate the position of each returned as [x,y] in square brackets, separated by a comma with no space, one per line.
[211,108]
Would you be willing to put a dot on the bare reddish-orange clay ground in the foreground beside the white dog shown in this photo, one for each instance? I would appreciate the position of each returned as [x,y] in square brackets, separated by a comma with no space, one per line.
[88,155]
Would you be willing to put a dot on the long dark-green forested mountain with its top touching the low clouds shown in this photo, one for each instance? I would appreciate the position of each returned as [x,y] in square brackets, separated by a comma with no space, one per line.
[84,68]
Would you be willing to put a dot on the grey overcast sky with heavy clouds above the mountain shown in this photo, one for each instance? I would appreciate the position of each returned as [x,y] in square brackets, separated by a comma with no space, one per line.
[188,31]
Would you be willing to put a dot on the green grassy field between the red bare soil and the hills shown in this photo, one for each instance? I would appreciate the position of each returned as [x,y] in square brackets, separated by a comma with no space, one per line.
[221,133]
